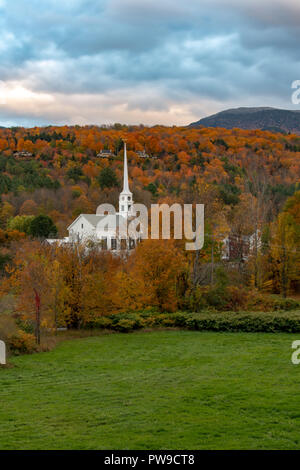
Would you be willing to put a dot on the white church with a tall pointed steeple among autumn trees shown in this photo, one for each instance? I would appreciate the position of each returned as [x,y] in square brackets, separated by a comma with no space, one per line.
[111,235]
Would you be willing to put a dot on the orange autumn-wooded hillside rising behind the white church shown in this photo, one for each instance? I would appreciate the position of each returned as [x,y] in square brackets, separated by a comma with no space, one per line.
[63,176]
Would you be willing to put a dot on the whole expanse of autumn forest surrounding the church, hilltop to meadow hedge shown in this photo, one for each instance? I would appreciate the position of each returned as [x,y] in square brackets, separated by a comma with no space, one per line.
[248,181]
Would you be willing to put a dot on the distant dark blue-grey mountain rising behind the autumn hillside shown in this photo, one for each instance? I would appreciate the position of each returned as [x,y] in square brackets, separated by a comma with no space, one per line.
[271,119]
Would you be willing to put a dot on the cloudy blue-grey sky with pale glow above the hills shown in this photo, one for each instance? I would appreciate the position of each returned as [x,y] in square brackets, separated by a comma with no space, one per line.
[144,61]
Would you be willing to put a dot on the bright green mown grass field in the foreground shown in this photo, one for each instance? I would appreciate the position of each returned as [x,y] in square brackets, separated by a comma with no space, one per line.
[158,390]
